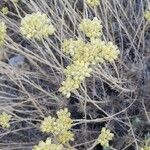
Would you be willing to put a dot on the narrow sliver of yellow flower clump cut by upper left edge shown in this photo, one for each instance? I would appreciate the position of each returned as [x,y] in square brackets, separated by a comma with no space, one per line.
[2,33]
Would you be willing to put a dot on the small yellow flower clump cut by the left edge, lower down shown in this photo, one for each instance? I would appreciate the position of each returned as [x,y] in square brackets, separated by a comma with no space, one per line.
[4,120]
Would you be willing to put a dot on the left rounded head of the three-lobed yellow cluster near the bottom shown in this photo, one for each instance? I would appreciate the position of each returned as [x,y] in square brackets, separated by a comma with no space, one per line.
[47,125]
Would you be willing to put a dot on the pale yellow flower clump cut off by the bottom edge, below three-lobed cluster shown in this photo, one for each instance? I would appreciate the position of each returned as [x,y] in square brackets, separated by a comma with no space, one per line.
[48,145]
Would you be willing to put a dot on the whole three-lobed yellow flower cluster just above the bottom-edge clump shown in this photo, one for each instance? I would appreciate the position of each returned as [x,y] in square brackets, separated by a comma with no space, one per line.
[59,126]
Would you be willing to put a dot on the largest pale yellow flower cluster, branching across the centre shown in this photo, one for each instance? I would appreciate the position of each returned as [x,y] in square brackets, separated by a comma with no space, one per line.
[85,55]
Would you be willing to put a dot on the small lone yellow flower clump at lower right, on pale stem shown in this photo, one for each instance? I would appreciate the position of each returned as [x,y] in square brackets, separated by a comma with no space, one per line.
[104,137]
